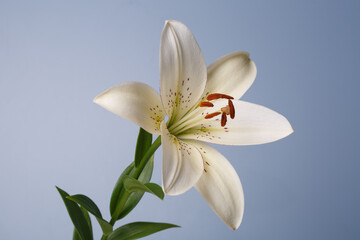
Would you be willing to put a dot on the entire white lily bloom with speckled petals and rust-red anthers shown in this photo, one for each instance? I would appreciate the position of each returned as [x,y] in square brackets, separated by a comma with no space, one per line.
[201,105]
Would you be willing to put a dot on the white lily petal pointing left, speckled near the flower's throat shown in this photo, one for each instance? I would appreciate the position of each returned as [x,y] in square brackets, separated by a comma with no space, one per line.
[136,102]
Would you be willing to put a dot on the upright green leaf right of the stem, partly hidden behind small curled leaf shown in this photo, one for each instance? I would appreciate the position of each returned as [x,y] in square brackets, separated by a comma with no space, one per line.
[135,197]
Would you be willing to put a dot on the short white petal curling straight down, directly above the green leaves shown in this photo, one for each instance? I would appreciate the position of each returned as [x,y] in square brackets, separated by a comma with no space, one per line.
[182,164]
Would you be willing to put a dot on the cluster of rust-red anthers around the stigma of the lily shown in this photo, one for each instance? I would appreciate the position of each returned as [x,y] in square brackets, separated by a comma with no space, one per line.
[224,111]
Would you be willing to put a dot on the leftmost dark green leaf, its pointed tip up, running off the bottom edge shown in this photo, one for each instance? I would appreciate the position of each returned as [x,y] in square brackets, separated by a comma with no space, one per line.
[77,217]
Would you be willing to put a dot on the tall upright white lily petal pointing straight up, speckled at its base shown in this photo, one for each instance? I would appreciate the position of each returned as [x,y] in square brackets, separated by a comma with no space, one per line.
[182,69]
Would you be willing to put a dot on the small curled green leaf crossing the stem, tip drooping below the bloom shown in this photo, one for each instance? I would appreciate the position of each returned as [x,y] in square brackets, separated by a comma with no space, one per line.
[133,185]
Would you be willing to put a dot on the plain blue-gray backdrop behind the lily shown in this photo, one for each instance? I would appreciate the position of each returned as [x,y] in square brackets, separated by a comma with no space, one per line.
[55,56]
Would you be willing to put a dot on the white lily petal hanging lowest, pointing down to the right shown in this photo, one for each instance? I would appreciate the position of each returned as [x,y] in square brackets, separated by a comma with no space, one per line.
[220,186]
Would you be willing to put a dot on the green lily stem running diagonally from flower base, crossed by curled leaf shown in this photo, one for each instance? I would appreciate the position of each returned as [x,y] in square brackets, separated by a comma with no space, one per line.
[125,195]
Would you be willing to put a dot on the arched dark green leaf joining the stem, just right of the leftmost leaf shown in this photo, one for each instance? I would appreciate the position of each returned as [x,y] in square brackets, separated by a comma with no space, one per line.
[90,206]
